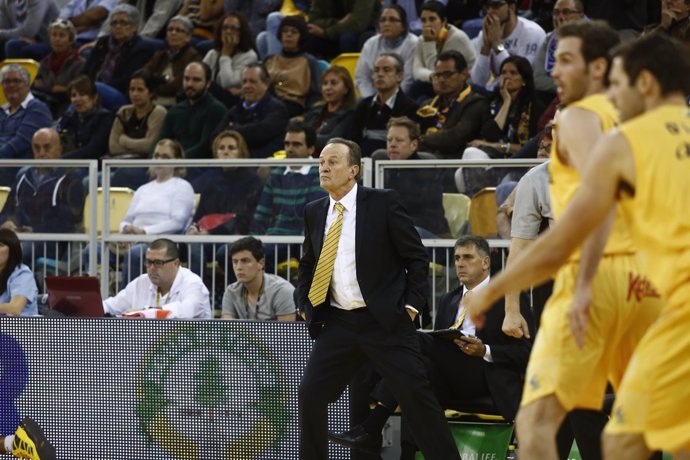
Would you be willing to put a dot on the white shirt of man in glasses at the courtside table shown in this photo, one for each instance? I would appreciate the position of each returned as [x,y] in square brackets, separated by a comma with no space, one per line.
[187,298]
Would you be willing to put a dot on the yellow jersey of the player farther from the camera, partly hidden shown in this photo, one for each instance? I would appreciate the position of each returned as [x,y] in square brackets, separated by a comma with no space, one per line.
[565,179]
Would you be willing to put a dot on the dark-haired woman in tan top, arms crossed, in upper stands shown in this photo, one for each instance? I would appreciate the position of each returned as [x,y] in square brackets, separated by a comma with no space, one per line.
[294,74]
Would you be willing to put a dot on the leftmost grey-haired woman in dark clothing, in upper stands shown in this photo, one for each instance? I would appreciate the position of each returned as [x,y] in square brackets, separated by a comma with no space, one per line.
[62,65]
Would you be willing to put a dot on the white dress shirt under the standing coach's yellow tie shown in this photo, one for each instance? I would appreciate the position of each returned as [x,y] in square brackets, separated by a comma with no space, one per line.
[345,291]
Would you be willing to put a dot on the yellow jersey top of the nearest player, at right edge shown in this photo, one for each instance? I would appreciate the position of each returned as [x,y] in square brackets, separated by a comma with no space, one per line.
[658,212]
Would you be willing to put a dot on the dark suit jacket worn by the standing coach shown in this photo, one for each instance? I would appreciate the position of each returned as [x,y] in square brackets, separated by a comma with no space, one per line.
[392,263]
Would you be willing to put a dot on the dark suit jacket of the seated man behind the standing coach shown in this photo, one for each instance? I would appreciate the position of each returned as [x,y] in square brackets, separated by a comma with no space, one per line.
[505,375]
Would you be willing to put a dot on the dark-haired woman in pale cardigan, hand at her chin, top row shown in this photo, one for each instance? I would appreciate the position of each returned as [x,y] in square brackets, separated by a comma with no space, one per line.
[437,36]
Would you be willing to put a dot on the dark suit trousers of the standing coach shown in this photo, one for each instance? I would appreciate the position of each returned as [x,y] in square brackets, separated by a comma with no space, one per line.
[347,340]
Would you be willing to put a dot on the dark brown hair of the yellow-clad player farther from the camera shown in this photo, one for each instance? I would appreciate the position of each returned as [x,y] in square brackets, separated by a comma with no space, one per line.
[597,38]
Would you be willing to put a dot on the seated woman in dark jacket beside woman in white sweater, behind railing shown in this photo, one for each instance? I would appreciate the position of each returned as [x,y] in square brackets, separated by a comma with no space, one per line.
[228,197]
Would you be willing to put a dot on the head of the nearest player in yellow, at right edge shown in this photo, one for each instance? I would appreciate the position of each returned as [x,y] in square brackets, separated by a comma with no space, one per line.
[647,70]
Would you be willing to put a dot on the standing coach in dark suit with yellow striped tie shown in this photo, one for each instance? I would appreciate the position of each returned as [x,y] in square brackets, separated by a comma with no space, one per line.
[378,276]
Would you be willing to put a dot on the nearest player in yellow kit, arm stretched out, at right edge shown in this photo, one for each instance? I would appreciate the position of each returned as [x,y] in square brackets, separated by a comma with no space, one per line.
[645,165]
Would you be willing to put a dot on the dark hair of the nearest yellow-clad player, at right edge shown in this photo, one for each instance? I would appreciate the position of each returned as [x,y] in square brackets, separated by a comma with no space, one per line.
[666,58]
